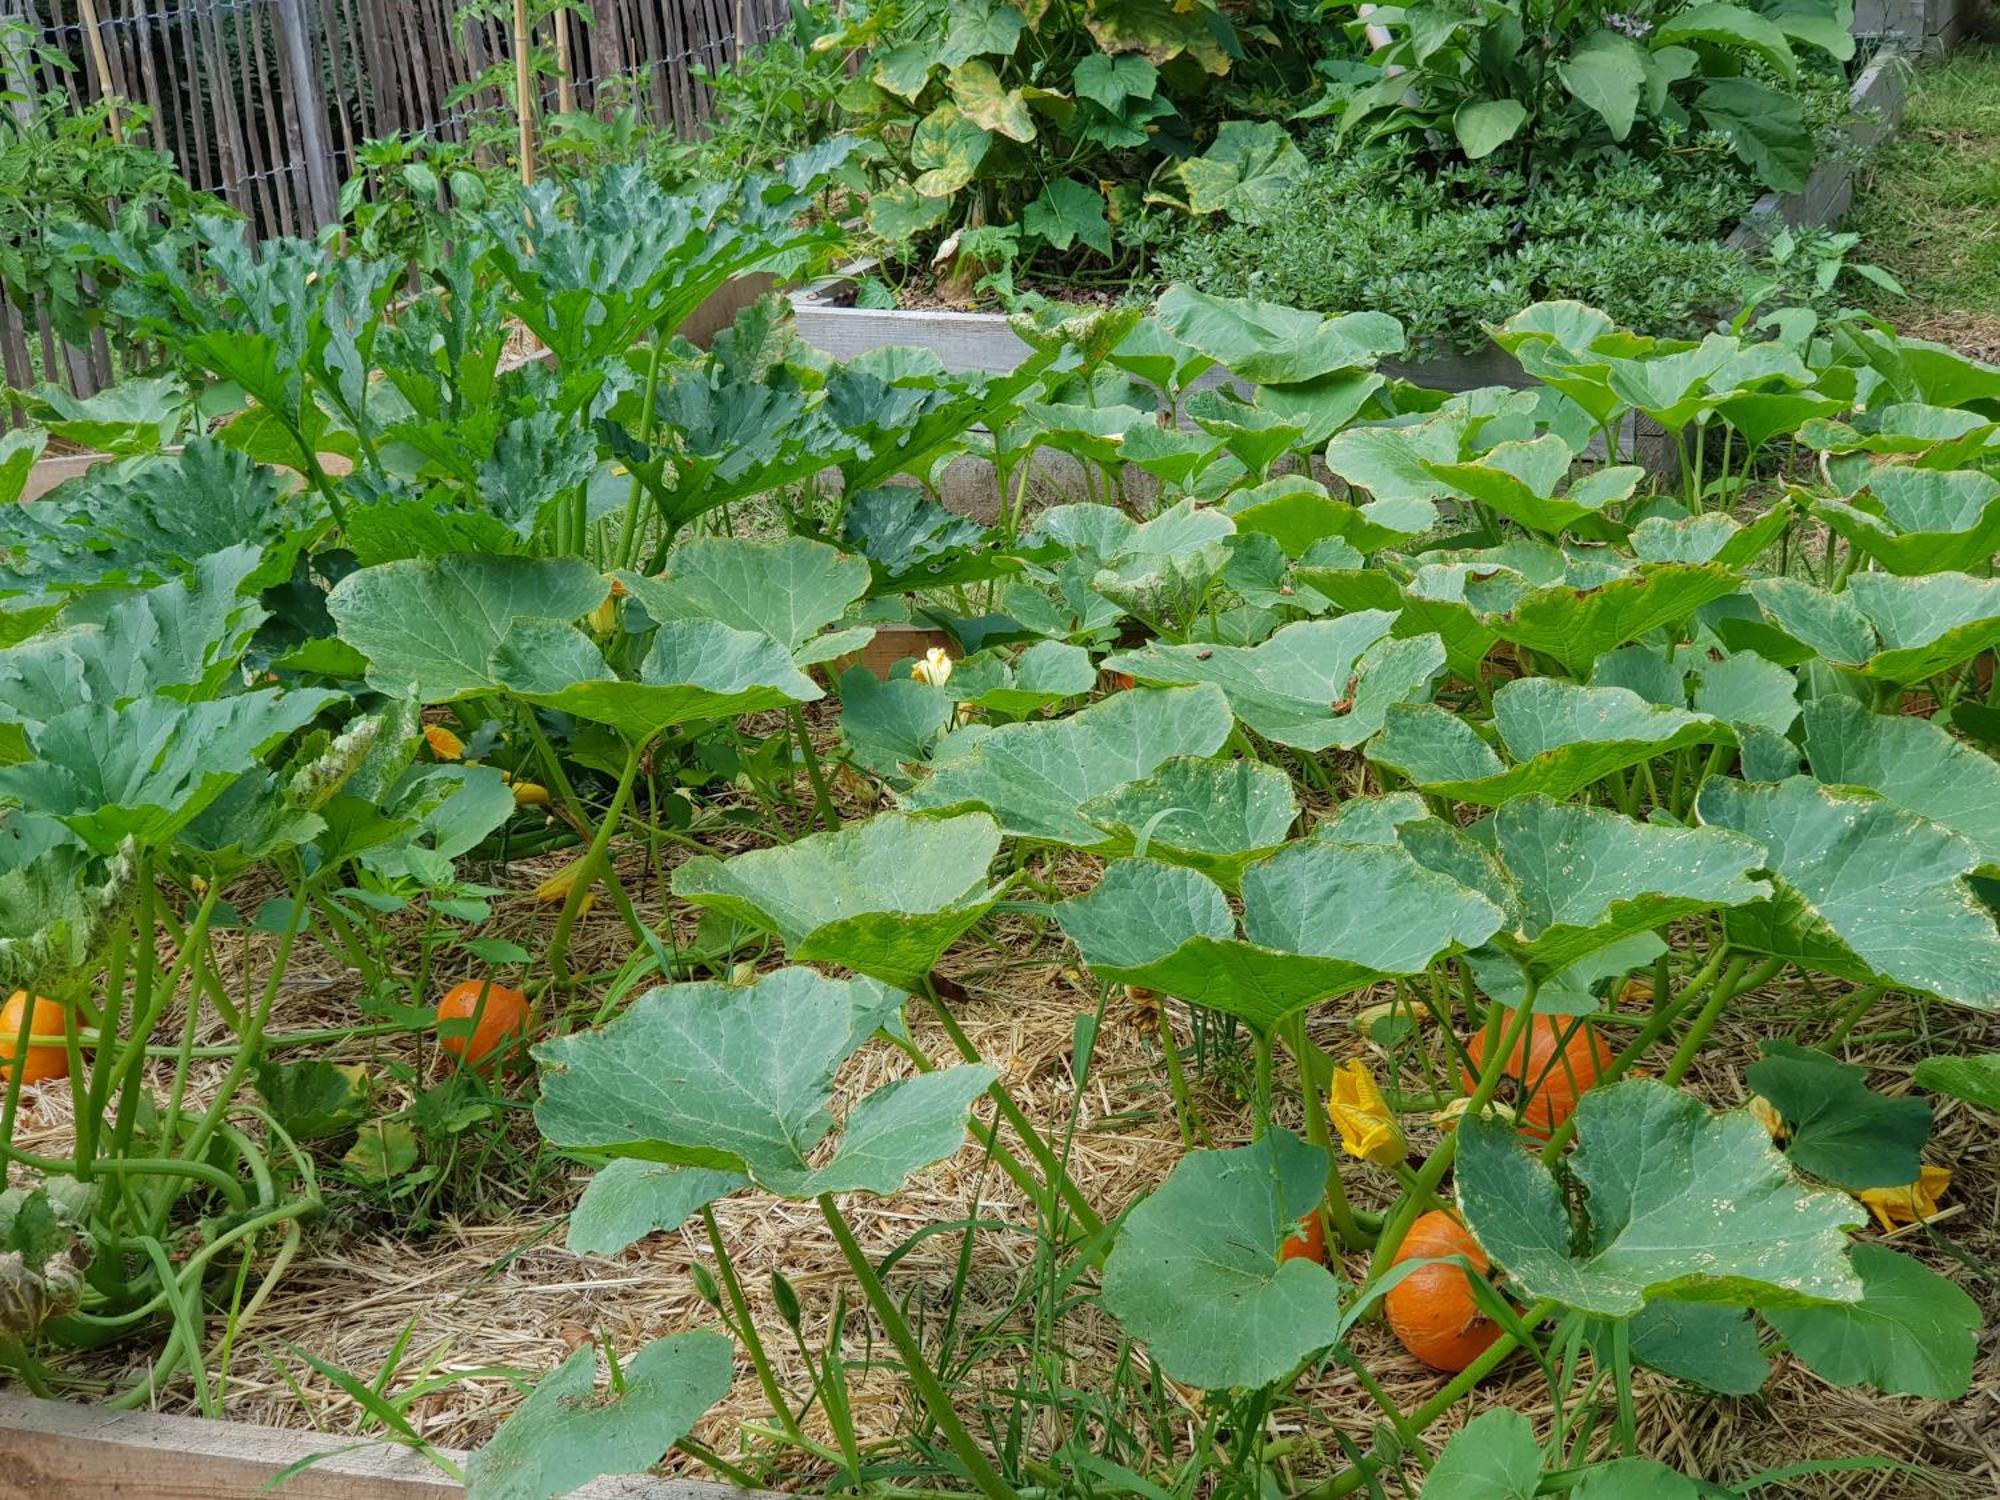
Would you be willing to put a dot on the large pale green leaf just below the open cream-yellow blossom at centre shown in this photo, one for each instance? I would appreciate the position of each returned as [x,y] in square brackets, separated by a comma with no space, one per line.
[1035,777]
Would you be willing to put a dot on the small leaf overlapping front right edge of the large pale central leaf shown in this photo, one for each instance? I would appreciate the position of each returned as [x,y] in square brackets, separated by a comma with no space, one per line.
[1211,815]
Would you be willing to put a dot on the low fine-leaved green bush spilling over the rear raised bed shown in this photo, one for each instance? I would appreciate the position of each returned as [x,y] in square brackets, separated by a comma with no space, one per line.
[1465,247]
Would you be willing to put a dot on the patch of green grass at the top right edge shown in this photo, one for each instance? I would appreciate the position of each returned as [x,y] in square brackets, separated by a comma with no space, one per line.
[1929,209]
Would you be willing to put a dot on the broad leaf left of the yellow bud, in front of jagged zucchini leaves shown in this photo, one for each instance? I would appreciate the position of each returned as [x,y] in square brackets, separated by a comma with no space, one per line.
[431,627]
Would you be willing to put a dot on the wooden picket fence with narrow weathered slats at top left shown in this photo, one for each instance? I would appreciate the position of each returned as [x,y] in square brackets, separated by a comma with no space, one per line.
[267,101]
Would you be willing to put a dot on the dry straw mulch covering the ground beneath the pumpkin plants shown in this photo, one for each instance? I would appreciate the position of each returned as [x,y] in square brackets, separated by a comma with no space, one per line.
[491,1285]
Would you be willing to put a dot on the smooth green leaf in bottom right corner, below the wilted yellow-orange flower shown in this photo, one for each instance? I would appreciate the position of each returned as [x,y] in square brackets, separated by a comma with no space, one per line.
[1911,1335]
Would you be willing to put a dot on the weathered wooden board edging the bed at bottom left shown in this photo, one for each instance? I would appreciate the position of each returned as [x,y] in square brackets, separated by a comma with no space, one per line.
[65,1451]
